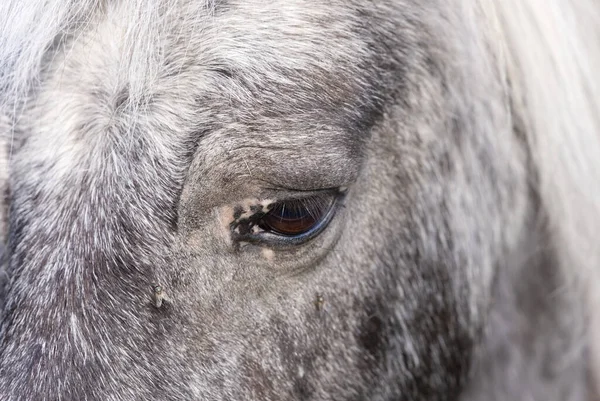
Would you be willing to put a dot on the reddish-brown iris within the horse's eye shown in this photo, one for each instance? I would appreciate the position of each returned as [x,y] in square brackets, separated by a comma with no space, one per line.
[290,218]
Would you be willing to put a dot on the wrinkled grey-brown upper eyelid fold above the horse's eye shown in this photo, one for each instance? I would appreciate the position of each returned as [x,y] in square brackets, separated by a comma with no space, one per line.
[293,165]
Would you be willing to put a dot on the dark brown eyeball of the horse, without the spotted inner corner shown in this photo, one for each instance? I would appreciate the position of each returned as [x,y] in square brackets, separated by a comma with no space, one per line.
[297,216]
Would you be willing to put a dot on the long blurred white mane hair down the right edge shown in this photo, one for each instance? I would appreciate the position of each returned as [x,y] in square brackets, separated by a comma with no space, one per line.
[554,52]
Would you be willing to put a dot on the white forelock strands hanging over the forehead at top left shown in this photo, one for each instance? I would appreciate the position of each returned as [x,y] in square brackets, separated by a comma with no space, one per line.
[28,30]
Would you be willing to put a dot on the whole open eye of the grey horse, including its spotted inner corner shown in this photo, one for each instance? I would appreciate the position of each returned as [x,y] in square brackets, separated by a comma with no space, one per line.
[288,222]
